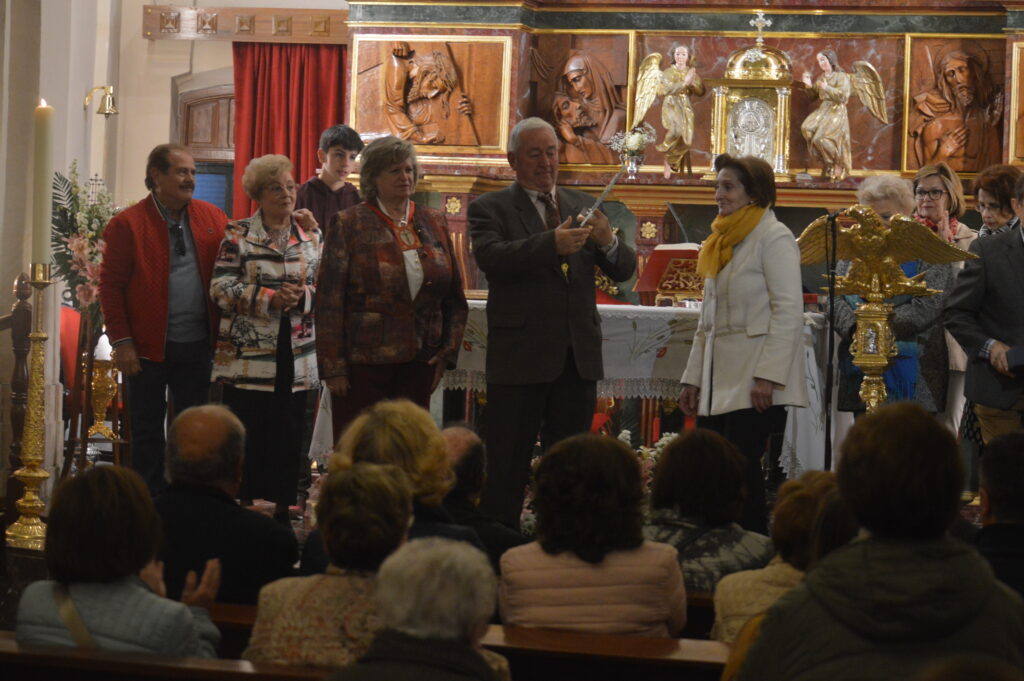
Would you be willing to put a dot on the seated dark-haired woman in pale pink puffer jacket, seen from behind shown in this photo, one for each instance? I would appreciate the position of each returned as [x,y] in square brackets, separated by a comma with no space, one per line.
[591,569]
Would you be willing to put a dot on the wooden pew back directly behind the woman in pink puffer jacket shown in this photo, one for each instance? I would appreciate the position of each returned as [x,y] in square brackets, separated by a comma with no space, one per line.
[539,655]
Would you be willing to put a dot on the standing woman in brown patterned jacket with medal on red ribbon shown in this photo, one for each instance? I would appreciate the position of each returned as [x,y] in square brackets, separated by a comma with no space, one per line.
[391,314]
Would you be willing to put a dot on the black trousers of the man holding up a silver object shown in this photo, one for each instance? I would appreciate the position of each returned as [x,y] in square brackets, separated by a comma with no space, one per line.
[515,416]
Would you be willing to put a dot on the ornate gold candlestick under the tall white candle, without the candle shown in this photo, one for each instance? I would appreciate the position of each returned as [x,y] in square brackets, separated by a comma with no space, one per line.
[29,532]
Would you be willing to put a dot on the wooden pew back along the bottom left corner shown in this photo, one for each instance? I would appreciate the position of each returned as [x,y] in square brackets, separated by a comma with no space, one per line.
[56,664]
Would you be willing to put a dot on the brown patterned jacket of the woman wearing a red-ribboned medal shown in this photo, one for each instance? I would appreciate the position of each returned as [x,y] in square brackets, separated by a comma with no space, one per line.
[364,312]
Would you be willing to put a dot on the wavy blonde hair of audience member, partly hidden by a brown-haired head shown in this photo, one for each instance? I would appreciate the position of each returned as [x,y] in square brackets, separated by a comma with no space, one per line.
[399,433]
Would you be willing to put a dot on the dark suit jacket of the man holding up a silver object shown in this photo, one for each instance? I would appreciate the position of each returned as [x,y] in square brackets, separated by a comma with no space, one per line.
[534,314]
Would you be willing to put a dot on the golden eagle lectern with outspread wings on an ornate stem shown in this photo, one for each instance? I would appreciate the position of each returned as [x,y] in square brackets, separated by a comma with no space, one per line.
[876,251]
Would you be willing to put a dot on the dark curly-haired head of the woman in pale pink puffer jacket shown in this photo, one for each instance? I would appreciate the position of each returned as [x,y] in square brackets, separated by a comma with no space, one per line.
[588,498]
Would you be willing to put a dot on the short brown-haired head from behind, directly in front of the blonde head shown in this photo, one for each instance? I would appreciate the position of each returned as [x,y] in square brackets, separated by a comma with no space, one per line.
[364,514]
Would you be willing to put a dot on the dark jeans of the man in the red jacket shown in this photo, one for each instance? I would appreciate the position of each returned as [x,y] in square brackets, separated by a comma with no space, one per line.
[186,372]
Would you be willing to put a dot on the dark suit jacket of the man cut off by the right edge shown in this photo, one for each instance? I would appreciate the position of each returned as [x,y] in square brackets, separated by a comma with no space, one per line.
[989,303]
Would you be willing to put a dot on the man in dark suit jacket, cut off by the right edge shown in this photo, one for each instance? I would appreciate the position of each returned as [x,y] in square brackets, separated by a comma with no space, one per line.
[986,315]
